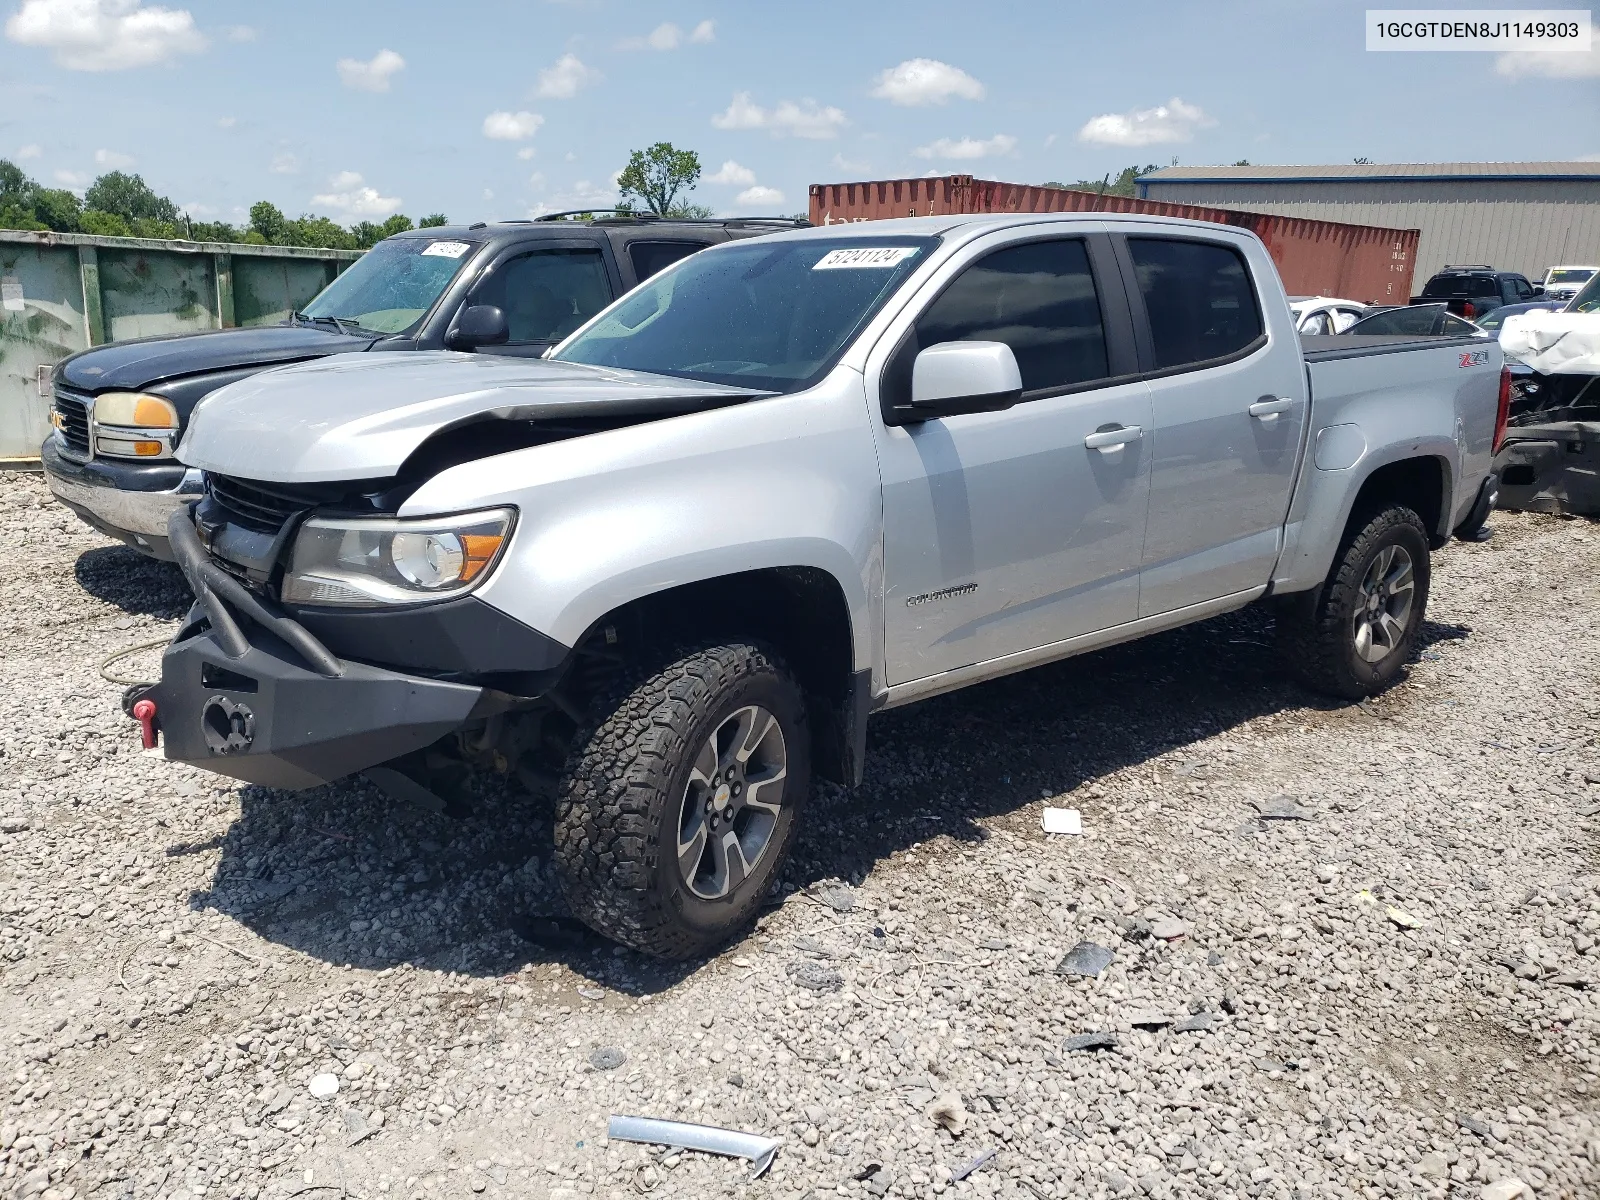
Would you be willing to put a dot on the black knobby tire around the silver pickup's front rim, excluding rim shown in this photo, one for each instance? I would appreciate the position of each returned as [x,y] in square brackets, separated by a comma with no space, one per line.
[618,799]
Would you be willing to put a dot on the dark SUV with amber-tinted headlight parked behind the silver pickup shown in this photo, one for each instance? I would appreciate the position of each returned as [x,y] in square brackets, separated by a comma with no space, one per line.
[513,289]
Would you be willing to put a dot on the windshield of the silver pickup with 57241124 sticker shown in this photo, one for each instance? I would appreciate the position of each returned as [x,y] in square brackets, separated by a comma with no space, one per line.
[772,316]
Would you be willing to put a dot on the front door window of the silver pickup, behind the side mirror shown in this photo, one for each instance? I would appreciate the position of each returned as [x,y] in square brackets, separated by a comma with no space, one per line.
[1038,298]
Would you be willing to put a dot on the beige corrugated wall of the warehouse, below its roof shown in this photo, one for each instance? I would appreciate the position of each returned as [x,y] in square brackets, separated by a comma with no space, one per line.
[1514,226]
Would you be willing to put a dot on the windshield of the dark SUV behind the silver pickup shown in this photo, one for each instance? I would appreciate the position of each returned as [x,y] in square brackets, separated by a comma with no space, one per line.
[391,286]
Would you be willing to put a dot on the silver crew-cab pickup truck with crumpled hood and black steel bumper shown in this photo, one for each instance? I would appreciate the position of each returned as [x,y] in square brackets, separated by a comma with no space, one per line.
[673,569]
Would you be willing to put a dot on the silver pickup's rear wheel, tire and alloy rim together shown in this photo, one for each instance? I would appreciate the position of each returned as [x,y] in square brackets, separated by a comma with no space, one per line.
[1356,634]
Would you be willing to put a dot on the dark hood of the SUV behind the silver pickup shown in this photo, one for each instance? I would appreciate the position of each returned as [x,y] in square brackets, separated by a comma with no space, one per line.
[150,361]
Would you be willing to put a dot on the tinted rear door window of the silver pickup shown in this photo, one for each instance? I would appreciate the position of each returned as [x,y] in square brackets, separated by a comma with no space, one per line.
[1198,297]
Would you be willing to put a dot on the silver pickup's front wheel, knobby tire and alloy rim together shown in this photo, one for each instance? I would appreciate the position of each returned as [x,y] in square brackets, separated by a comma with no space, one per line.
[678,807]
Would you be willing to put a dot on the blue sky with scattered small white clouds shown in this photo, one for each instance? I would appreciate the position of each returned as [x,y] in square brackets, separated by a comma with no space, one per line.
[505,110]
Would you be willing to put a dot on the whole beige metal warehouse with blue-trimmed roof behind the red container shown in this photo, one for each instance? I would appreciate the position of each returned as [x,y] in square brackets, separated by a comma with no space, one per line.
[1513,217]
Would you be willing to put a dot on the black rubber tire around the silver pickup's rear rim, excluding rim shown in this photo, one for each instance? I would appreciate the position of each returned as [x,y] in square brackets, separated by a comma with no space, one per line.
[1316,631]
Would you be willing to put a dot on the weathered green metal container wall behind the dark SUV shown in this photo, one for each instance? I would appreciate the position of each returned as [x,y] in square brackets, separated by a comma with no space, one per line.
[66,292]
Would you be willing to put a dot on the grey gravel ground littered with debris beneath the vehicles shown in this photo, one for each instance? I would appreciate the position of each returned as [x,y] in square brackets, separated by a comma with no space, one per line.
[1350,946]
